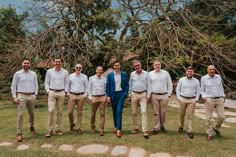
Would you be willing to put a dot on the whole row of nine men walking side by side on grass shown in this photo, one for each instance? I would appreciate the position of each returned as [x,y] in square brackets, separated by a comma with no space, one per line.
[142,87]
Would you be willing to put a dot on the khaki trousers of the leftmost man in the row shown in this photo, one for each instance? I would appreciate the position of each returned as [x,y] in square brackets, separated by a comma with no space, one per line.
[29,101]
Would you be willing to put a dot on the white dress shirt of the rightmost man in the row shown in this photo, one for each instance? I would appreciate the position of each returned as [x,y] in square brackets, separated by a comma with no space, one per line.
[212,86]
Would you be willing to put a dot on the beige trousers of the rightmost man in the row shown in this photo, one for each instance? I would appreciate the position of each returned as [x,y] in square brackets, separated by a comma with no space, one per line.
[210,105]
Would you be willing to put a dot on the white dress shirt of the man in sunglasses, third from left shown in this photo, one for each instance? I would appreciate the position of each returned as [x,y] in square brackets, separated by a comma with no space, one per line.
[78,83]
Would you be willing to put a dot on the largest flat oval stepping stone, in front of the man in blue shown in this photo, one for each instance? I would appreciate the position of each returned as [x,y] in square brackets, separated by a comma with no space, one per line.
[93,149]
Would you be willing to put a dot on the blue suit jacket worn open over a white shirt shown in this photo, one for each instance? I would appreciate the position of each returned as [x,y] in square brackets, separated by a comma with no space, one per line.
[110,85]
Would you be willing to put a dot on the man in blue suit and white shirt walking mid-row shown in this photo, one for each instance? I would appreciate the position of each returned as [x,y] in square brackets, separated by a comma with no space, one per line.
[117,88]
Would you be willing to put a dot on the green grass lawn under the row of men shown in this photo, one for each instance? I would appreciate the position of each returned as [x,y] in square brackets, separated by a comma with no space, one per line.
[171,142]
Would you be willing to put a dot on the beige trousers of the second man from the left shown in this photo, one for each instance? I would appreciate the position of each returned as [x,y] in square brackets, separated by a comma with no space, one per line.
[55,102]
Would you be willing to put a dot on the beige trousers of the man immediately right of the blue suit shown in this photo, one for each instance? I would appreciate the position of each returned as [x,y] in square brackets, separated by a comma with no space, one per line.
[137,99]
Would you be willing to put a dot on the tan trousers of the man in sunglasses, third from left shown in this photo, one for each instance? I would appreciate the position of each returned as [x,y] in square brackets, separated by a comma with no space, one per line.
[77,100]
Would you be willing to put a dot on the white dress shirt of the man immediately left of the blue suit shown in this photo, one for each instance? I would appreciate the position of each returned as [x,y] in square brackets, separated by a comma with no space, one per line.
[96,86]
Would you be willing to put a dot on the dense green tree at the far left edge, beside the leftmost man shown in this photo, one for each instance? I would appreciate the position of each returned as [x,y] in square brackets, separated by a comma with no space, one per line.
[12,37]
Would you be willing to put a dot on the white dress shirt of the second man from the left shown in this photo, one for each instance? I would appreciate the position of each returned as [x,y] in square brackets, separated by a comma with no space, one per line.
[57,80]
